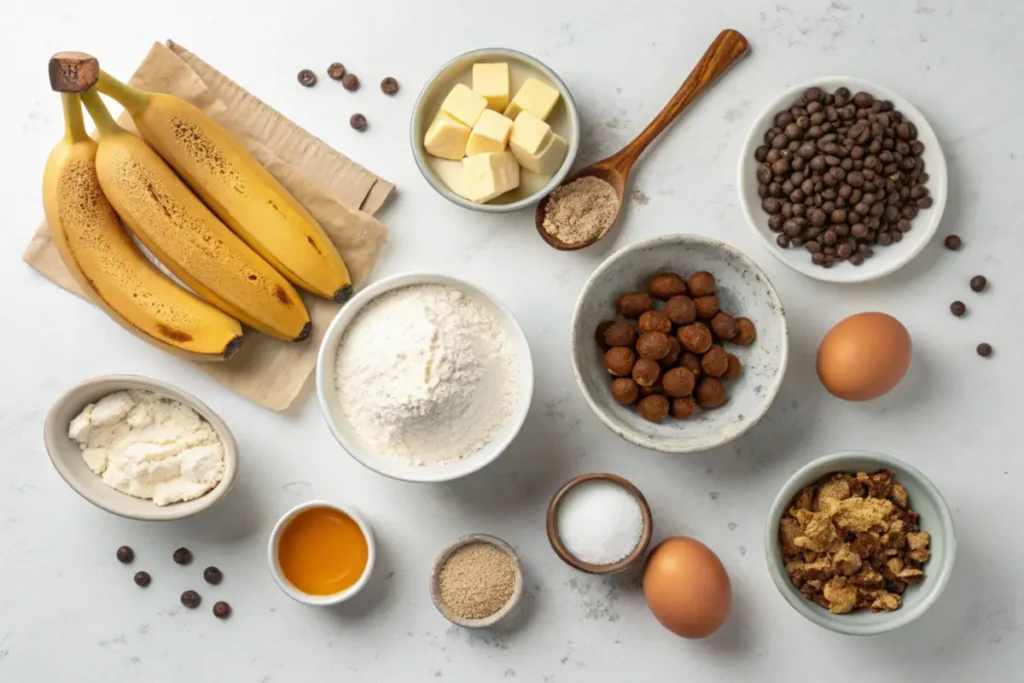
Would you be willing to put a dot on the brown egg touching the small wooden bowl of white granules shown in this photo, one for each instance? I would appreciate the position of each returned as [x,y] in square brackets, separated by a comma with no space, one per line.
[687,588]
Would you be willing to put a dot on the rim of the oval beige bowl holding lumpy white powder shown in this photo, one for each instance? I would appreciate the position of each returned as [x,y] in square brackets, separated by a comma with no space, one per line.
[166,514]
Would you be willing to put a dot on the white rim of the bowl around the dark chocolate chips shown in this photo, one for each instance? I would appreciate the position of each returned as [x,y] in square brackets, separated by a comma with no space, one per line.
[940,176]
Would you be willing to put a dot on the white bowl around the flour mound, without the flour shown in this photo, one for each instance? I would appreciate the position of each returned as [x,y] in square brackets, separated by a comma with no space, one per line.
[350,440]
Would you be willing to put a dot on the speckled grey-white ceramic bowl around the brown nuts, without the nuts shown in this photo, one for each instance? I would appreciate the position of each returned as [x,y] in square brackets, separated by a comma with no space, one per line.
[743,289]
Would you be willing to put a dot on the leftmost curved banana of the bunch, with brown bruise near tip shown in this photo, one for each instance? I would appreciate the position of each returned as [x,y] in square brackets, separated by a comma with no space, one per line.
[111,269]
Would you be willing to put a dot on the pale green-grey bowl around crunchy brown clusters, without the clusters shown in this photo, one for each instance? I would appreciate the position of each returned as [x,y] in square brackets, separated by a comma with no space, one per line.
[935,520]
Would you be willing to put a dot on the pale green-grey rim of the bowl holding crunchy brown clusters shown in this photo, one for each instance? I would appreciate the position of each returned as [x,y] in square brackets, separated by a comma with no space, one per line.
[886,621]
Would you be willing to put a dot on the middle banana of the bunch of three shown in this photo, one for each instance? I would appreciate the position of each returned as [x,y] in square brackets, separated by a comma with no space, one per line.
[187,238]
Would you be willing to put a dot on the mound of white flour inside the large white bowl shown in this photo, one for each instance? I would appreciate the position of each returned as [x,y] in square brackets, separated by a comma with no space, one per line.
[428,375]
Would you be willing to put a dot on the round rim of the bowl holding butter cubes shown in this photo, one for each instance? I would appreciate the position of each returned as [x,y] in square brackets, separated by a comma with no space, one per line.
[557,180]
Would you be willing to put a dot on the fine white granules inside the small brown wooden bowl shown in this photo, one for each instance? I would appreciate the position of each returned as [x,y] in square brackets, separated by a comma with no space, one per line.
[600,523]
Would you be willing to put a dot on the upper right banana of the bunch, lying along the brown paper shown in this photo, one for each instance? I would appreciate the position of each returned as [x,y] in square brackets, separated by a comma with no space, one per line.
[239,190]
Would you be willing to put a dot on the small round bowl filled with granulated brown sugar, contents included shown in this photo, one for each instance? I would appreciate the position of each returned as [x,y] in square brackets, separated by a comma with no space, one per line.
[477,581]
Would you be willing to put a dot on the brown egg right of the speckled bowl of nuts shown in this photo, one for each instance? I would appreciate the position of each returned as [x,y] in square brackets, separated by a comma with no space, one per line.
[865,357]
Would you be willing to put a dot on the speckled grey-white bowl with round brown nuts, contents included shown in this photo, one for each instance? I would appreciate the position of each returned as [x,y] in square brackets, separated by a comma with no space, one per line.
[679,344]
